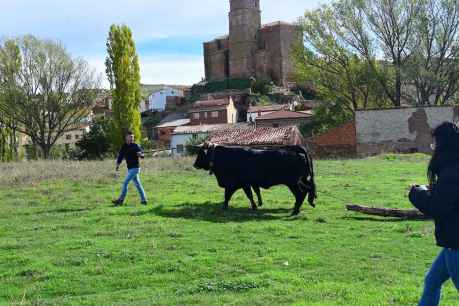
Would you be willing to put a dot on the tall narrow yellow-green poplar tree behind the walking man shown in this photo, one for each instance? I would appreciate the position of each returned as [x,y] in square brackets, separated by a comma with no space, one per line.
[123,72]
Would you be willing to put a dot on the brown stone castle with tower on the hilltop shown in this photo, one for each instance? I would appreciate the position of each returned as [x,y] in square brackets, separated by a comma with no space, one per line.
[250,49]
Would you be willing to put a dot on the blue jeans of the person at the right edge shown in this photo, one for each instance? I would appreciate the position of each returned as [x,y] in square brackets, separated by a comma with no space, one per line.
[446,266]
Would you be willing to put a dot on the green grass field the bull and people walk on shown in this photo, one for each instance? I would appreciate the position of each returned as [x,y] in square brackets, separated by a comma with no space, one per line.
[61,243]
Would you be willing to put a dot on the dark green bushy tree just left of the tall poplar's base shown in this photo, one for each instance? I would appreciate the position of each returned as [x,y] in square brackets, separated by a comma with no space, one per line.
[97,143]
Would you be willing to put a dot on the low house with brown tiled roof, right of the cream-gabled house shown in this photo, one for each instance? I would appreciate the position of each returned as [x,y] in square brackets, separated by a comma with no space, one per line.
[283,118]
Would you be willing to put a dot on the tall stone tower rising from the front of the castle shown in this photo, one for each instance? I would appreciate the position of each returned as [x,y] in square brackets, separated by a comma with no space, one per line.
[244,25]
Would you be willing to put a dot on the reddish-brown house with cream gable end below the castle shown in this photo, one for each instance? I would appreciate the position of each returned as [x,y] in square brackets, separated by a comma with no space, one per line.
[216,111]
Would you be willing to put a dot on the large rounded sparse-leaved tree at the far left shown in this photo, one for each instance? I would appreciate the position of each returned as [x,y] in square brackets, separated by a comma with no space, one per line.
[50,94]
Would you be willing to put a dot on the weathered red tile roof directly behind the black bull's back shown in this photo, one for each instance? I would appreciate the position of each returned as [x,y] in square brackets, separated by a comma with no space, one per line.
[258,137]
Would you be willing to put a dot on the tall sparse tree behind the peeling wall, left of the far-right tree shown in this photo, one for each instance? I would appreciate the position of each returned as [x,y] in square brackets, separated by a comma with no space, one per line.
[384,30]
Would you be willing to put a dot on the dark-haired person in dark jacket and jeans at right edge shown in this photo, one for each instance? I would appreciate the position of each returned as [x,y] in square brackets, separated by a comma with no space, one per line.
[440,201]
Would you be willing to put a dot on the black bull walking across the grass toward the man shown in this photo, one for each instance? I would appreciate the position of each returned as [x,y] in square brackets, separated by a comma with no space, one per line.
[237,168]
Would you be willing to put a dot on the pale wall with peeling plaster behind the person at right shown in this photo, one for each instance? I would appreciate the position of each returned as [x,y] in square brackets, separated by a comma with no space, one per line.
[403,130]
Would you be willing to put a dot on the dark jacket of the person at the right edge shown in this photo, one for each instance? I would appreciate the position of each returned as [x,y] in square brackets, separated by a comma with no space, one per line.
[442,204]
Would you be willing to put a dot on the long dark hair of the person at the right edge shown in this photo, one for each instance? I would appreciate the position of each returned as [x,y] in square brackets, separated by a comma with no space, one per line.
[446,150]
